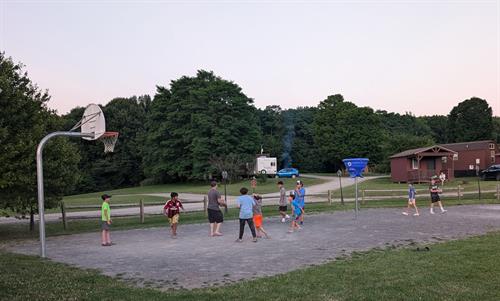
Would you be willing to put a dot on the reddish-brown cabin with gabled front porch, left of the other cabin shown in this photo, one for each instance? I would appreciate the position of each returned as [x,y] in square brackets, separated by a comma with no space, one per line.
[420,164]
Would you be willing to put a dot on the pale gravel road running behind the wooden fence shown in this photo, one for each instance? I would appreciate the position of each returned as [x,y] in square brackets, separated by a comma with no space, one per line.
[331,184]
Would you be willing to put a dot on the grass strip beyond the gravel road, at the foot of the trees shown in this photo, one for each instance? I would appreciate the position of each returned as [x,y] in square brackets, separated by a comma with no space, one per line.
[134,194]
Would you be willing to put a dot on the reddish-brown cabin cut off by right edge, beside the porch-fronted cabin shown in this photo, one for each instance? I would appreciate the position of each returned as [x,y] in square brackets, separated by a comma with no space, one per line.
[473,156]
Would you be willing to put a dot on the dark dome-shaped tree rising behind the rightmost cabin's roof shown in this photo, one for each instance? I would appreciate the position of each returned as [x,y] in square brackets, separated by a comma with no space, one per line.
[470,120]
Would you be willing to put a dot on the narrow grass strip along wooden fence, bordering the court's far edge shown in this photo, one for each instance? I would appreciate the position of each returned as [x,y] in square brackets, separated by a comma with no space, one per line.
[10,232]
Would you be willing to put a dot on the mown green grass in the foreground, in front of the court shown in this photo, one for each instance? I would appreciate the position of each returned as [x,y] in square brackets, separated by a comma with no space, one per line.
[457,270]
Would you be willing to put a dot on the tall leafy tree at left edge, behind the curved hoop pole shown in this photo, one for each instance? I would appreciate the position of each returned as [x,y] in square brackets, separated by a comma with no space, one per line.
[24,121]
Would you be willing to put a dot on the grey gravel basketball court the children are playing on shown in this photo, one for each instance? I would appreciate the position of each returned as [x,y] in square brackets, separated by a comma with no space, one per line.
[195,260]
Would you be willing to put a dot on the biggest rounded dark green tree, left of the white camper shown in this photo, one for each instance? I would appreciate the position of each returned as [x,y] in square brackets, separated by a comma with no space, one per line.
[197,119]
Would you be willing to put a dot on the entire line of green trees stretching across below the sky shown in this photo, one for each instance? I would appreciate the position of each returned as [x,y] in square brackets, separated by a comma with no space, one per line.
[198,126]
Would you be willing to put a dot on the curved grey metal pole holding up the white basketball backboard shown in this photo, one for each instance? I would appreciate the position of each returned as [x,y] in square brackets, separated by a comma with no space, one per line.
[39,178]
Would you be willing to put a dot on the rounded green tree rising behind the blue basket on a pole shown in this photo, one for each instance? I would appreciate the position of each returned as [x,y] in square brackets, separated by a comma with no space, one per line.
[344,130]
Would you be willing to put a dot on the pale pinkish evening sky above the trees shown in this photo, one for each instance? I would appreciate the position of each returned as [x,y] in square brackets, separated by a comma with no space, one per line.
[422,57]
